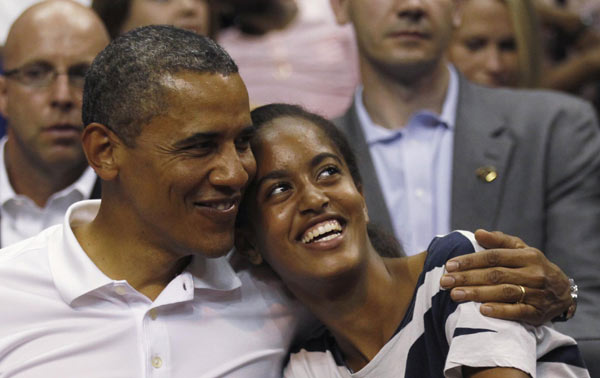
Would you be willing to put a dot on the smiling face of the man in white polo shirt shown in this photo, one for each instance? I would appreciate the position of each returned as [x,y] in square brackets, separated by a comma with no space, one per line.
[188,168]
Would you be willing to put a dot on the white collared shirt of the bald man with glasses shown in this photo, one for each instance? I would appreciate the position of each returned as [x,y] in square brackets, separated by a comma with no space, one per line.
[21,218]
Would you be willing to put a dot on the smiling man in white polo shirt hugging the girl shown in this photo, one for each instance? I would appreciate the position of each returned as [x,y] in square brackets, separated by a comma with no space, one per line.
[137,285]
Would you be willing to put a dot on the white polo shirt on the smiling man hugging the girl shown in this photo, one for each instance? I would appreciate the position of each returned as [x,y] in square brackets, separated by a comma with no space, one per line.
[62,317]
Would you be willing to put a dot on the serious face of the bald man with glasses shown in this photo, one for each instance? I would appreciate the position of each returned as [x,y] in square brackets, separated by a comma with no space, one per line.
[44,121]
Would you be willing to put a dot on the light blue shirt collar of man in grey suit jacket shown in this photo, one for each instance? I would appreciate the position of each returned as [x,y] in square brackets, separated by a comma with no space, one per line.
[448,117]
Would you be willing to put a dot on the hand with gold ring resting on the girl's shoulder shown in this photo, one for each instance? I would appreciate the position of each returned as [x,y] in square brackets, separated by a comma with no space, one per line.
[513,280]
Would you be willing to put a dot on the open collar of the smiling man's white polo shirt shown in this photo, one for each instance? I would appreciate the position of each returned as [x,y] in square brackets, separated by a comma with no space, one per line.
[75,274]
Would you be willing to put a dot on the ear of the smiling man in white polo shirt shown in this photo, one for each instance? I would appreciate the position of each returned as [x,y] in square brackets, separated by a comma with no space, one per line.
[101,146]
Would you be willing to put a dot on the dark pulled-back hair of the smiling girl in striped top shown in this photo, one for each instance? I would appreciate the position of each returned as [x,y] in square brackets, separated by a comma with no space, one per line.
[384,243]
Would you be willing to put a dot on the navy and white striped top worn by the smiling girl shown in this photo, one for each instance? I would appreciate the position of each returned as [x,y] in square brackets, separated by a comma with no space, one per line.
[438,336]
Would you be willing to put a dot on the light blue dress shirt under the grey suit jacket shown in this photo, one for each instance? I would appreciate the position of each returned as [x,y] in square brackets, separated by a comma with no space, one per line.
[414,167]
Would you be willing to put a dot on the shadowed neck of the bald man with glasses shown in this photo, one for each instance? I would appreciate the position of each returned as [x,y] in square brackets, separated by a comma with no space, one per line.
[36,181]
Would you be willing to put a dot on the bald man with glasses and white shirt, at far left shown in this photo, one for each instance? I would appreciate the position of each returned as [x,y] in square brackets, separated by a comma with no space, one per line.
[43,169]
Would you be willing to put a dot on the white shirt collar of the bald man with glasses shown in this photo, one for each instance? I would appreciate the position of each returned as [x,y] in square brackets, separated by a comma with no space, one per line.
[84,185]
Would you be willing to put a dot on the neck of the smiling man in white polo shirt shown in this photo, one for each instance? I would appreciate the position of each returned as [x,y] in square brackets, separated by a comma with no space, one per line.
[124,254]
